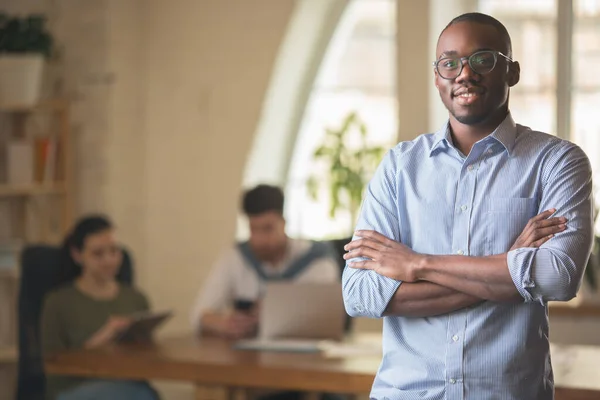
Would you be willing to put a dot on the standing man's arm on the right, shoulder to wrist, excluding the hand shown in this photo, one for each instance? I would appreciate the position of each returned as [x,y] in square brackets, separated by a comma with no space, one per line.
[551,272]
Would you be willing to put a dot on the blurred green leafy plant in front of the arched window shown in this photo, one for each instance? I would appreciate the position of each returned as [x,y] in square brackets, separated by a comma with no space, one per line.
[351,161]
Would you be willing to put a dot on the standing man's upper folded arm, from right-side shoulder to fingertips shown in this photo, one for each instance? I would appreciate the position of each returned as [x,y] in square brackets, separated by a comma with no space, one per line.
[552,271]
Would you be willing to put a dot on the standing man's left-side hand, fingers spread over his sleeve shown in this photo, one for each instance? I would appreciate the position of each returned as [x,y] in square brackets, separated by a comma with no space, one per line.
[386,257]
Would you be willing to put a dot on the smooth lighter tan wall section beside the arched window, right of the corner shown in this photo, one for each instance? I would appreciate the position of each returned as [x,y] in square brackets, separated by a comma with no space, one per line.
[207,66]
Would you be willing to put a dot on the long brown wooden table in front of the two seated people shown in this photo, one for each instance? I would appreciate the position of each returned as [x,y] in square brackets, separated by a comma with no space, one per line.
[213,362]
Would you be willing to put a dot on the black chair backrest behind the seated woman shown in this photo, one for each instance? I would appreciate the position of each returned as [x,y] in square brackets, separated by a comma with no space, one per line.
[43,269]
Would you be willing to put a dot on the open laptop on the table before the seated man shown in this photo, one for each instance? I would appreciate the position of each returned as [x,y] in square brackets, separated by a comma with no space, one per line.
[298,316]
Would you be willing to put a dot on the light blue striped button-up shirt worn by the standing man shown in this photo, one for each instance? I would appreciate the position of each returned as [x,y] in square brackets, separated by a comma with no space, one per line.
[430,197]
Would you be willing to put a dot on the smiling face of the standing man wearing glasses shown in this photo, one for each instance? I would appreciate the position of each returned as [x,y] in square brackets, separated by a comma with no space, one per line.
[471,98]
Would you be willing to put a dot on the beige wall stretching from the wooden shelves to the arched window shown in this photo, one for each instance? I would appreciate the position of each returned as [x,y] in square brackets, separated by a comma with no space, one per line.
[166,100]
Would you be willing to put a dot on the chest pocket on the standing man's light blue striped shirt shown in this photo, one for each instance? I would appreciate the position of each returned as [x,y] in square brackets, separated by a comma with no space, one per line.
[505,219]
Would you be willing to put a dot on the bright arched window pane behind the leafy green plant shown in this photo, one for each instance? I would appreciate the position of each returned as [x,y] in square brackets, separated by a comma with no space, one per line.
[357,75]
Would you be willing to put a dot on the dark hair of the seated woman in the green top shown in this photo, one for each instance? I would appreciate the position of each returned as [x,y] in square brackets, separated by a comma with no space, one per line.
[84,227]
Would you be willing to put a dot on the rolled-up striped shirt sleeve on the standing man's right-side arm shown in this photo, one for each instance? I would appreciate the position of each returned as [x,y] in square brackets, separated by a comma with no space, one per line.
[555,270]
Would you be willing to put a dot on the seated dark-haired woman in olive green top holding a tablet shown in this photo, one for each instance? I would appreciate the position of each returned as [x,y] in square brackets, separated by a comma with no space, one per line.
[91,311]
